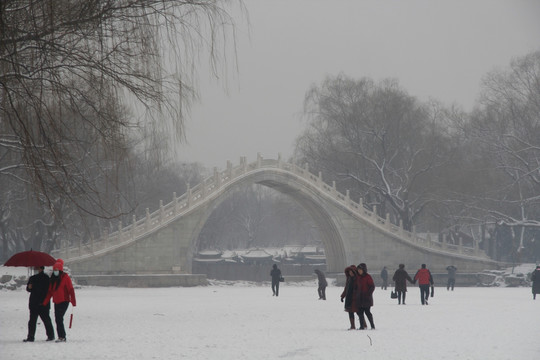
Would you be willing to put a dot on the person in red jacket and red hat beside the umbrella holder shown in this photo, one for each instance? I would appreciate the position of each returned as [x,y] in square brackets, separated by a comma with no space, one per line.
[62,292]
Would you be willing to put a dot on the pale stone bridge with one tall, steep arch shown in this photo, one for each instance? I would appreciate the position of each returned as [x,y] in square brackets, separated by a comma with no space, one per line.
[165,241]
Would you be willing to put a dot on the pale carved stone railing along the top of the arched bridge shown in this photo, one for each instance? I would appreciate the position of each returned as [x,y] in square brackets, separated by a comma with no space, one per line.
[210,186]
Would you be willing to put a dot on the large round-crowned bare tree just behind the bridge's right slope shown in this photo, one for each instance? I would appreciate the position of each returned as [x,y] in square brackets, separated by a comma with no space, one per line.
[380,142]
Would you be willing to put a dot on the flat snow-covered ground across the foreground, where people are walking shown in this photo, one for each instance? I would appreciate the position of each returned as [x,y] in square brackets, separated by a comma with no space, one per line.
[244,321]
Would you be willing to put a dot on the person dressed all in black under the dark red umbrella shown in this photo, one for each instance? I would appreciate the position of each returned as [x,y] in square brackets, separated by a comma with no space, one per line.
[37,286]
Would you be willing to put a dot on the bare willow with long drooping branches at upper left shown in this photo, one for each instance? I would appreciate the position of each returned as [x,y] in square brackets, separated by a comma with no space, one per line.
[66,68]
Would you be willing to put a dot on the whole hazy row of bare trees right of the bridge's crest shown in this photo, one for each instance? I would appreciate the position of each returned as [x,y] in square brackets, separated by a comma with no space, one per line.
[434,167]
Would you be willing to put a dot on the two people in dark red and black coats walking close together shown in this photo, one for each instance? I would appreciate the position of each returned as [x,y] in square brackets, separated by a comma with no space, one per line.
[358,295]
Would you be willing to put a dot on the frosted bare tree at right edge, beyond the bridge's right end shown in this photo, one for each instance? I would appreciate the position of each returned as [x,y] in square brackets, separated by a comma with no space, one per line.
[504,131]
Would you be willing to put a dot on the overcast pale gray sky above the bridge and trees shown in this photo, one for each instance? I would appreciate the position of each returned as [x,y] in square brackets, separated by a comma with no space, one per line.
[436,49]
